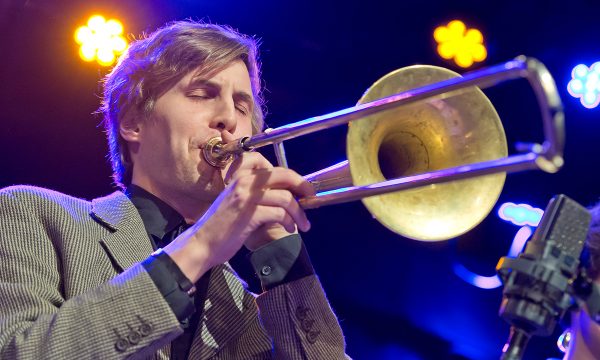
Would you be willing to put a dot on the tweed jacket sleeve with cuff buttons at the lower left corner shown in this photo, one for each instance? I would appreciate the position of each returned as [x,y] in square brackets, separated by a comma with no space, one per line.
[123,317]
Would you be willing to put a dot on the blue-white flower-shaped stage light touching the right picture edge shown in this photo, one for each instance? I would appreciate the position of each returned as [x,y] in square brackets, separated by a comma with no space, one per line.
[585,84]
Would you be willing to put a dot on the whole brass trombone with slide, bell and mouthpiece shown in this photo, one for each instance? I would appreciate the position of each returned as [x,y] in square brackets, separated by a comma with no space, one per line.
[416,140]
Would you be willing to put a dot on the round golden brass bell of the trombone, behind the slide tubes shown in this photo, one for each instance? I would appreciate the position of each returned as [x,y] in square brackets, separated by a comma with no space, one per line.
[432,134]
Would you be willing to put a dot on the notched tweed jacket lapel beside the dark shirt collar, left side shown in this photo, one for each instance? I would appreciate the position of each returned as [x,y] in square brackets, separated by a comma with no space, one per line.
[128,242]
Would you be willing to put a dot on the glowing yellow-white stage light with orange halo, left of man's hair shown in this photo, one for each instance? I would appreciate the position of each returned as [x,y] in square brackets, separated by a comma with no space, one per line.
[101,40]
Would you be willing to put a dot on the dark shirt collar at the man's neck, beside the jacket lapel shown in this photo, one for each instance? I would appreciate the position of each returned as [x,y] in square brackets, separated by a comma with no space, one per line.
[158,217]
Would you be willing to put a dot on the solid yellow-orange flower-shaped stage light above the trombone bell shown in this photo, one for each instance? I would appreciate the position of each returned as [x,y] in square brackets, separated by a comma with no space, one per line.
[457,42]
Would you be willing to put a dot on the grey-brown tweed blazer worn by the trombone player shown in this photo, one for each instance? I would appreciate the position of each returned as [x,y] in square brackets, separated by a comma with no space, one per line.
[72,287]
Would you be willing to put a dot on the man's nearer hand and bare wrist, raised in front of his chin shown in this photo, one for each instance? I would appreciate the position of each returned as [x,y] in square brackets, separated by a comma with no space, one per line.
[257,196]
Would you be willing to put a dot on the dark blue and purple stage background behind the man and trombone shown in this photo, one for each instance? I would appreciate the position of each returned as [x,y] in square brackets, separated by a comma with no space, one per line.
[396,298]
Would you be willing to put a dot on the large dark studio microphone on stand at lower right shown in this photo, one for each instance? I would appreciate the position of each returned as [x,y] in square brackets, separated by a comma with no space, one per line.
[538,283]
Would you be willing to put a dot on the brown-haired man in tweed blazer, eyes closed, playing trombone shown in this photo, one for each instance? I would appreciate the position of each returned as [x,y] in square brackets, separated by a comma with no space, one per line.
[143,272]
